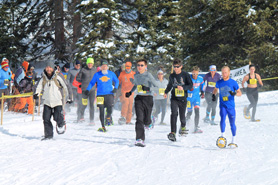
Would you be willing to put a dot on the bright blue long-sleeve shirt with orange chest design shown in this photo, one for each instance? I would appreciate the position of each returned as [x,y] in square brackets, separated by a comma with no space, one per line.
[104,83]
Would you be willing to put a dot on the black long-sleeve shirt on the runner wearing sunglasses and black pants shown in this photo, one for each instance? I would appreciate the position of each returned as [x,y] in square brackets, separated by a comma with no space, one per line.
[183,79]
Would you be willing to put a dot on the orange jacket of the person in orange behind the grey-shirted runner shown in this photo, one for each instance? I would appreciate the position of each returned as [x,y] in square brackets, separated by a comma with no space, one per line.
[126,80]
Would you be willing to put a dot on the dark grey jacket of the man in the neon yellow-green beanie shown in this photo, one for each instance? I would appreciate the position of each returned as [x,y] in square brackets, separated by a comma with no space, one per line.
[85,76]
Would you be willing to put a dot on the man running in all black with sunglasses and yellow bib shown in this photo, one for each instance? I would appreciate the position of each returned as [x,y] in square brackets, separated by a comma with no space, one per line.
[179,83]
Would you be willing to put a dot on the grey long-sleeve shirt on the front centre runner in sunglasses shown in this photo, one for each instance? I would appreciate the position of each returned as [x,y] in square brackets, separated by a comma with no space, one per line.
[146,79]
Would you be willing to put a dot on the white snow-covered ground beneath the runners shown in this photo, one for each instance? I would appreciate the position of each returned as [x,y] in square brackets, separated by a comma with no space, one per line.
[84,156]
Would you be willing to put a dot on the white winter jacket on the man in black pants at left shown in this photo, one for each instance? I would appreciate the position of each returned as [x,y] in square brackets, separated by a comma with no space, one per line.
[52,94]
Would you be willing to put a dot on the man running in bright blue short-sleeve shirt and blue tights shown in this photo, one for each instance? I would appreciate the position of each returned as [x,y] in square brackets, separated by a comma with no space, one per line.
[228,88]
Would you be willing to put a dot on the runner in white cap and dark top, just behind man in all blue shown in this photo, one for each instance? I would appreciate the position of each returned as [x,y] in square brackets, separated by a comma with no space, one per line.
[210,80]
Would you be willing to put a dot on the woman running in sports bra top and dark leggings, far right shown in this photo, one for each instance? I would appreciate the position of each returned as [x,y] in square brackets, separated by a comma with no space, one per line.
[252,80]
